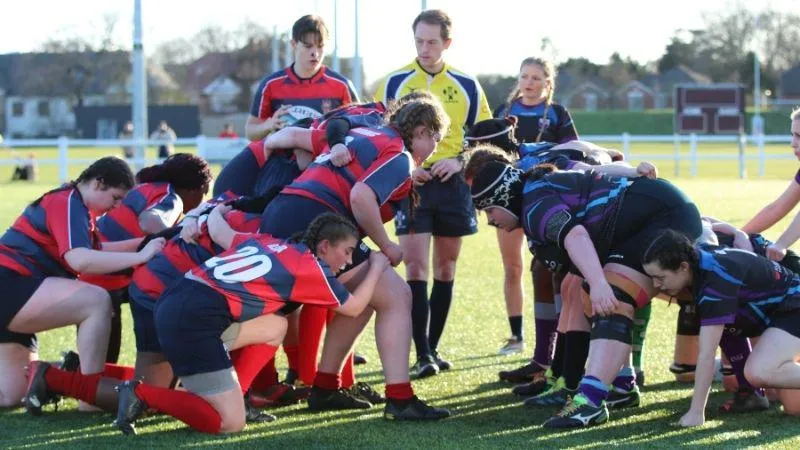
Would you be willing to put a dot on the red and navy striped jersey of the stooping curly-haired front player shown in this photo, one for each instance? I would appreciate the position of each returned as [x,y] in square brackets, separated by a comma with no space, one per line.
[380,161]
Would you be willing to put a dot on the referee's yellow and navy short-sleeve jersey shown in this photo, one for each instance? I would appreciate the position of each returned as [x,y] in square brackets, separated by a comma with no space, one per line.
[461,94]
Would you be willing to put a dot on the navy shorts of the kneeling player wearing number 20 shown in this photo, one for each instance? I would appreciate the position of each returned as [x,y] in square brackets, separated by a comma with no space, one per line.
[190,318]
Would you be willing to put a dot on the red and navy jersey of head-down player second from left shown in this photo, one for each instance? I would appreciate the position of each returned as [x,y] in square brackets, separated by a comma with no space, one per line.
[122,223]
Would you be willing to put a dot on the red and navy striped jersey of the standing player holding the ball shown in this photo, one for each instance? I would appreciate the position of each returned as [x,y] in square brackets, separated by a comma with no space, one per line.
[323,92]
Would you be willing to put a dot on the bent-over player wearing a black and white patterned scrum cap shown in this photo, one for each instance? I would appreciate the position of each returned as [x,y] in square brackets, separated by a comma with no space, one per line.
[600,225]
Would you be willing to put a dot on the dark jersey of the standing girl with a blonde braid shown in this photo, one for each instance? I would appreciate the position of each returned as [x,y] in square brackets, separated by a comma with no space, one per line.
[557,126]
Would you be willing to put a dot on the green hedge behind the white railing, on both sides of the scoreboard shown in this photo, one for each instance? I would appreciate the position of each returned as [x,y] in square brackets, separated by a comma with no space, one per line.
[657,122]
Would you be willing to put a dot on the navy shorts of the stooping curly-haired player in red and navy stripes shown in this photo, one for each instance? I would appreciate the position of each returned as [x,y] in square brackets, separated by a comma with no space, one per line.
[288,215]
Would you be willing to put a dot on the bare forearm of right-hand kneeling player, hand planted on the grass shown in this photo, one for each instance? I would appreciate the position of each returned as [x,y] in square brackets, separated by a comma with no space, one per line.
[710,336]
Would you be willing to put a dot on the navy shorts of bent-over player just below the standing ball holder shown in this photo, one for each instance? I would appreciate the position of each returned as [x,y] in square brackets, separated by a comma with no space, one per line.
[242,176]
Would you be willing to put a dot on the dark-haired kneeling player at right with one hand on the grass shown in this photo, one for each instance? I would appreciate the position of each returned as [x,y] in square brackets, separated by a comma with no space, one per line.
[738,288]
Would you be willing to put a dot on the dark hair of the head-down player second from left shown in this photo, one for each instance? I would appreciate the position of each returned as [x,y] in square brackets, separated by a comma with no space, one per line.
[181,170]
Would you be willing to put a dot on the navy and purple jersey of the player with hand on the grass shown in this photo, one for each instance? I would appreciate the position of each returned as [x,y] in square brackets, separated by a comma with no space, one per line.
[733,286]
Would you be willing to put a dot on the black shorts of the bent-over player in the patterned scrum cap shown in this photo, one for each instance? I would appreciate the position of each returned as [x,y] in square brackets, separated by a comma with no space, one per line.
[648,208]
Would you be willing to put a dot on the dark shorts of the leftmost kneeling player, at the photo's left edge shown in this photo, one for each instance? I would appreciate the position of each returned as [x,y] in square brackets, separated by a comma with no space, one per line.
[17,290]
